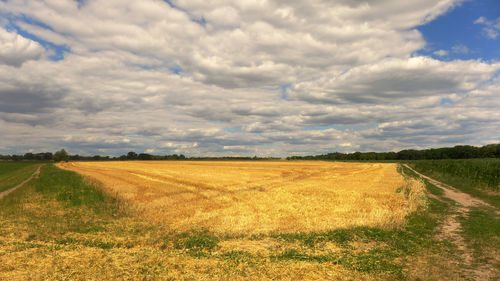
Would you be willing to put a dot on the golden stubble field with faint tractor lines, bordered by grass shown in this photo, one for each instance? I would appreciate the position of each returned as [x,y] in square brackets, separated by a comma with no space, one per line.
[255,197]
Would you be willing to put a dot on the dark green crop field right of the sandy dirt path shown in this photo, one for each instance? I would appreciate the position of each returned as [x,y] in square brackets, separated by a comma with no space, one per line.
[477,177]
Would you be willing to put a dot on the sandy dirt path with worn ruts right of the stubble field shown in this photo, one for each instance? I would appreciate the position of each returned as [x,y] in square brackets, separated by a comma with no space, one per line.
[451,227]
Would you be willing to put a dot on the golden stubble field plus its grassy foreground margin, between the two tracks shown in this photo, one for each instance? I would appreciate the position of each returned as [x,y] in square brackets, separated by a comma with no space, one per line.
[289,221]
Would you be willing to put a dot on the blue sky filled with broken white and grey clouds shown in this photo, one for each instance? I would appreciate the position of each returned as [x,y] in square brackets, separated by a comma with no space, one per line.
[248,77]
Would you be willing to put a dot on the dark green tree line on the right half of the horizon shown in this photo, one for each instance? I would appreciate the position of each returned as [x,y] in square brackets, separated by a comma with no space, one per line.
[456,152]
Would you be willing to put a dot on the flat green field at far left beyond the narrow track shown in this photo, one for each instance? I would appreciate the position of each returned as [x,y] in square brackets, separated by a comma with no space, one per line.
[13,173]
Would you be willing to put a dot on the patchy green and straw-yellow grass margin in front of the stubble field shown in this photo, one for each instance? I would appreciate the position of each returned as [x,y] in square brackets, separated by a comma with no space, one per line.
[61,226]
